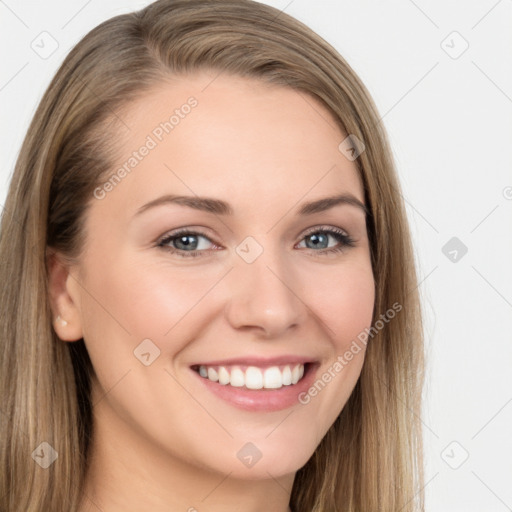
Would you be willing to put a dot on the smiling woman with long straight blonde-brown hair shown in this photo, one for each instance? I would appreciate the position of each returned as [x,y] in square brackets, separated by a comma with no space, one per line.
[210,298]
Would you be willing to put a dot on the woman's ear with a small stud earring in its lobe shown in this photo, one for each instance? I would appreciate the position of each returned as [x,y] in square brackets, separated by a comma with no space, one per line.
[64,295]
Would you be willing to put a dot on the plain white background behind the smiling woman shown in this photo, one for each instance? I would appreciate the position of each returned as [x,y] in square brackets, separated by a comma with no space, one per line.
[450,127]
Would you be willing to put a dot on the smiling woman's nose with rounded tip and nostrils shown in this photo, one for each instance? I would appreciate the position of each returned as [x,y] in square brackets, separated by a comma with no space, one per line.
[263,298]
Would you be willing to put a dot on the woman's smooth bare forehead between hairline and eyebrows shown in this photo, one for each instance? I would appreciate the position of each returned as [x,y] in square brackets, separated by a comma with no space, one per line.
[227,136]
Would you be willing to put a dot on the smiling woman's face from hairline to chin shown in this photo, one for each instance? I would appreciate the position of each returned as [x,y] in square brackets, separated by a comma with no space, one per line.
[253,285]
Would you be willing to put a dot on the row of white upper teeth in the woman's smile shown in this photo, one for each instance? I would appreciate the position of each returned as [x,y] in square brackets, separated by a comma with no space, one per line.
[253,377]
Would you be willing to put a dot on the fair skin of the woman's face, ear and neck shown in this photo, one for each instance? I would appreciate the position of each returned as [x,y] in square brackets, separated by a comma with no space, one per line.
[161,440]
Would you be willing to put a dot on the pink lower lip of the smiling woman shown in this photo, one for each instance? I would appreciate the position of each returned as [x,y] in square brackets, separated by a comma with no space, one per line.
[262,400]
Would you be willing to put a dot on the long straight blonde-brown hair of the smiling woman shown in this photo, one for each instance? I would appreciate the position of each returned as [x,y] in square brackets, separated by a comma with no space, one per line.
[371,458]
